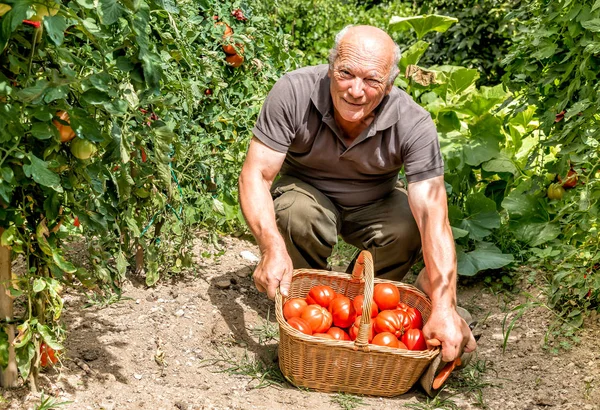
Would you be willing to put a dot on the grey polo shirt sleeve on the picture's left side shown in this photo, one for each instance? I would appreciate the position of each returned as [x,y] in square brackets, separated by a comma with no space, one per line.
[275,126]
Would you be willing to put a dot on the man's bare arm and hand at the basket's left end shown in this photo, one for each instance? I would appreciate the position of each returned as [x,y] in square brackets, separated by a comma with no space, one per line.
[258,172]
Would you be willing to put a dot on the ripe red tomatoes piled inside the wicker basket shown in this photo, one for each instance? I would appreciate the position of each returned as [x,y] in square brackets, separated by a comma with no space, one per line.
[330,315]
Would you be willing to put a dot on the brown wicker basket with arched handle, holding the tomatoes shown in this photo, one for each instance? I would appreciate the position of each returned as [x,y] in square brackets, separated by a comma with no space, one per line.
[350,366]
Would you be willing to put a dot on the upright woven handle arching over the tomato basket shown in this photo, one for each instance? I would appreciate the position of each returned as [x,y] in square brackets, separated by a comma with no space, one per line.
[364,269]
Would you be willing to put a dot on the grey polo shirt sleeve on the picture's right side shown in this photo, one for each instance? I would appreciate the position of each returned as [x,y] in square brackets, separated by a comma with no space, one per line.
[423,159]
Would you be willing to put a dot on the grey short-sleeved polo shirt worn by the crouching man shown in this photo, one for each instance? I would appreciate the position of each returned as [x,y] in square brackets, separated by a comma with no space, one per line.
[297,119]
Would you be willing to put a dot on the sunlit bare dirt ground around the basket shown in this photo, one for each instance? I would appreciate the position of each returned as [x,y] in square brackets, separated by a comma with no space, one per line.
[208,341]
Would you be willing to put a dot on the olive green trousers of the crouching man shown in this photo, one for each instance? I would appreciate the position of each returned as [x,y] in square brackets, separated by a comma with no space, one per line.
[310,224]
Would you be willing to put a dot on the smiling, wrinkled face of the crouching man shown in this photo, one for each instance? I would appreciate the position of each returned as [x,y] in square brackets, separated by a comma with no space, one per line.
[359,81]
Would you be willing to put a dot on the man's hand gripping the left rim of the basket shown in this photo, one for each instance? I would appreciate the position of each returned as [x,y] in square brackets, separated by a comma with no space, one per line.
[273,271]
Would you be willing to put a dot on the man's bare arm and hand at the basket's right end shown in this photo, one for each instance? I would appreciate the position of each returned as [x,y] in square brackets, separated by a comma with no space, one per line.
[429,206]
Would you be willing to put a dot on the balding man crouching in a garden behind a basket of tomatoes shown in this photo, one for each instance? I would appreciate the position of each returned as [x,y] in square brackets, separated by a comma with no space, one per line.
[338,136]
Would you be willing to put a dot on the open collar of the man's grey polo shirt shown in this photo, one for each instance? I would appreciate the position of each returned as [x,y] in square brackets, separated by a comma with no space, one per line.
[386,114]
